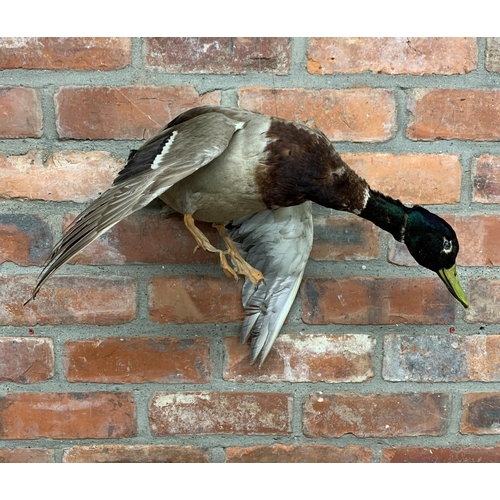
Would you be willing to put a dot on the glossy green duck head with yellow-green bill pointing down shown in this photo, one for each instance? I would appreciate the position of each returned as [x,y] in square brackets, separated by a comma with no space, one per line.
[433,244]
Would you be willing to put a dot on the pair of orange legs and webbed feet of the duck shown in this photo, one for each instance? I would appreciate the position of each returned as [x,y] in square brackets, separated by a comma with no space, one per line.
[240,266]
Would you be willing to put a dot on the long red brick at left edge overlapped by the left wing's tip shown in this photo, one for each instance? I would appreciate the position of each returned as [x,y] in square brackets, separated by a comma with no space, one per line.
[68,299]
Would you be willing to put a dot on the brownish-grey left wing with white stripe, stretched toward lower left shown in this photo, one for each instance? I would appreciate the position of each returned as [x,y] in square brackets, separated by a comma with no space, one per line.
[176,152]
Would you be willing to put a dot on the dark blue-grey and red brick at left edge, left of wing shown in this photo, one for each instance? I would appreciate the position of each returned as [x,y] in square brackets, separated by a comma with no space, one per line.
[25,239]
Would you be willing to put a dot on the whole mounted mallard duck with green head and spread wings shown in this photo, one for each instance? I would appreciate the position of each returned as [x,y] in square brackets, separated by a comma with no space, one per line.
[254,177]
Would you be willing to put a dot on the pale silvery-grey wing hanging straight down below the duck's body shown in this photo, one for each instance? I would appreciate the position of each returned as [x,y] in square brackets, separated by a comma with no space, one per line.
[278,243]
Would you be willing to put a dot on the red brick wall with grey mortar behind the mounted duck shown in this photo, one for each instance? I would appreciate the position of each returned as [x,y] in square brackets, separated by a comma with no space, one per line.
[130,353]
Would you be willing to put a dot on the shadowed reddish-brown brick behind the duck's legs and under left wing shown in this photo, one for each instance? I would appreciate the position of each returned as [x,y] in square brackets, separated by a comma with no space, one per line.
[148,239]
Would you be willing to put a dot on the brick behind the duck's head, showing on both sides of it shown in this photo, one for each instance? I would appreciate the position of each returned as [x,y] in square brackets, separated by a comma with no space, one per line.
[476,235]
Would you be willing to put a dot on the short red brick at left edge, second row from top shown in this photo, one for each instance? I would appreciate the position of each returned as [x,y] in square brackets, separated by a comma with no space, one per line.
[20,113]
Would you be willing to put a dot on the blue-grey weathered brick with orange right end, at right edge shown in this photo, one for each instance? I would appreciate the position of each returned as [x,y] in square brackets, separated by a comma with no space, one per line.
[441,358]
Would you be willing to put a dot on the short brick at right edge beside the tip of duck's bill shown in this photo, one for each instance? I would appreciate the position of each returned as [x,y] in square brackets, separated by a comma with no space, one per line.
[484,297]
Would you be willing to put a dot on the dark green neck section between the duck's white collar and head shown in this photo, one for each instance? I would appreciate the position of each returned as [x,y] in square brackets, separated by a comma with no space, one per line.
[388,214]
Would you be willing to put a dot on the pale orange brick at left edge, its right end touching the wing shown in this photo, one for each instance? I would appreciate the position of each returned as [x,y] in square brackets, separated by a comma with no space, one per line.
[64,176]
